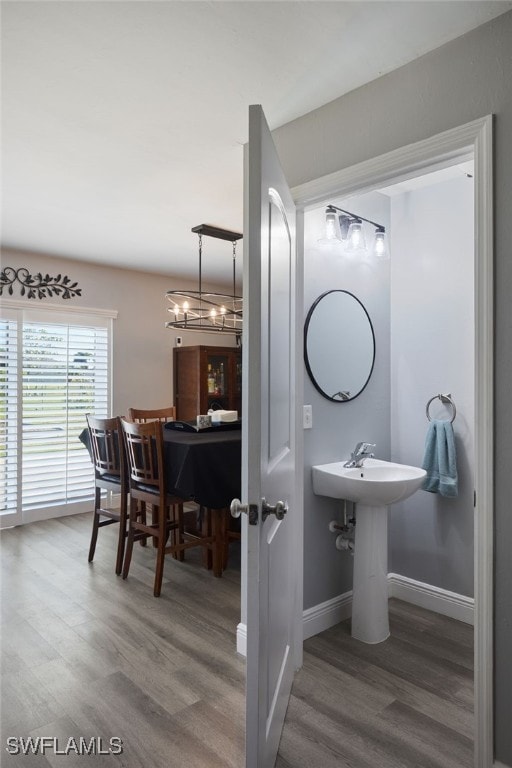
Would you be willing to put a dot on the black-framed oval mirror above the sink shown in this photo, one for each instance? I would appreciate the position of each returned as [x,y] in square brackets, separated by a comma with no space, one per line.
[339,346]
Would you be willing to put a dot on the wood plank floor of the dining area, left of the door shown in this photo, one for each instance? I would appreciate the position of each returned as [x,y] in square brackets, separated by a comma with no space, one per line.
[86,654]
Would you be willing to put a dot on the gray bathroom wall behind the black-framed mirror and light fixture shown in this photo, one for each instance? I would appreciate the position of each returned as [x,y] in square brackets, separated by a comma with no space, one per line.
[337,427]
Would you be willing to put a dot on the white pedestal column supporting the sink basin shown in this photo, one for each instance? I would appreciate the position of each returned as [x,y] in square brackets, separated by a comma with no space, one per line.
[370,618]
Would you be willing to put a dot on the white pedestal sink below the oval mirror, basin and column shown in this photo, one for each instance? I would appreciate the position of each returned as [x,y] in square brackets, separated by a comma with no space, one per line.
[373,487]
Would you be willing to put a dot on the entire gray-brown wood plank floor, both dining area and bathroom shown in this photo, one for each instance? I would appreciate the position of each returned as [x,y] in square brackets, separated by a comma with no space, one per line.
[86,654]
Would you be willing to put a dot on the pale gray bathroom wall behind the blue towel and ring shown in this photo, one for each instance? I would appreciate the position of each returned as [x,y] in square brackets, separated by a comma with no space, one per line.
[432,351]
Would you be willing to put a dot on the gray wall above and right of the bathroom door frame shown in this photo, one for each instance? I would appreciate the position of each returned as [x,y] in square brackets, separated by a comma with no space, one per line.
[459,82]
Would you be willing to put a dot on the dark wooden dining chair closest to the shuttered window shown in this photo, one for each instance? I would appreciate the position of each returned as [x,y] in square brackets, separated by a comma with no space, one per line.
[108,457]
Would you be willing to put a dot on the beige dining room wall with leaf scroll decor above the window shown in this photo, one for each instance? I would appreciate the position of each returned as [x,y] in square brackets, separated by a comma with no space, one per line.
[142,346]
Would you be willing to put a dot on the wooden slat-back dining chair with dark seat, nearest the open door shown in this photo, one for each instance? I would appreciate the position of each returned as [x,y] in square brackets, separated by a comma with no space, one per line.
[144,448]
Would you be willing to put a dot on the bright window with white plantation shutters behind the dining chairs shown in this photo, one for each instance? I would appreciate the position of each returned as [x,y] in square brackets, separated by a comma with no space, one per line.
[54,368]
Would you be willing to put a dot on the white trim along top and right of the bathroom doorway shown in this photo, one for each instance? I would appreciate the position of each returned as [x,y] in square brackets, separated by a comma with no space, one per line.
[439,151]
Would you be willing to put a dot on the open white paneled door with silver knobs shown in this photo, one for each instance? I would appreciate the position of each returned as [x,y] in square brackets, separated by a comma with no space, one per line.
[272,360]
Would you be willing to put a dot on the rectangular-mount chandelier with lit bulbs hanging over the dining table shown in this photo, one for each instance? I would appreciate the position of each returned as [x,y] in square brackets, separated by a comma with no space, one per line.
[207,311]
